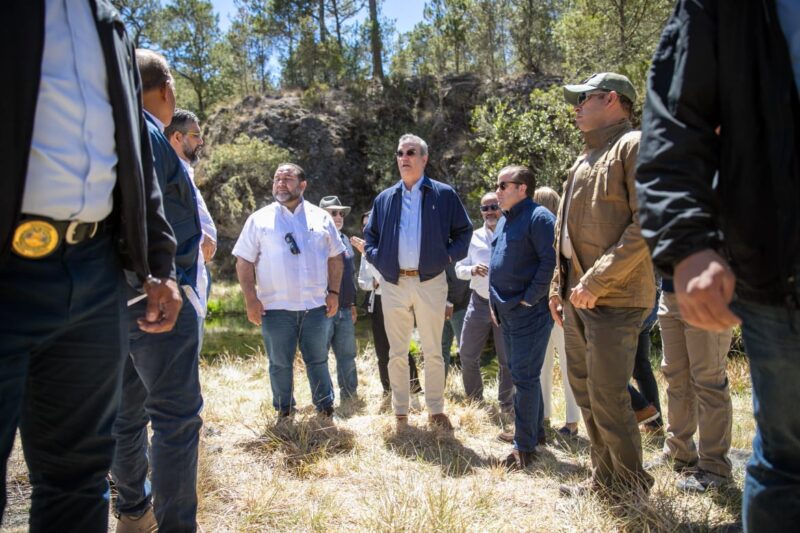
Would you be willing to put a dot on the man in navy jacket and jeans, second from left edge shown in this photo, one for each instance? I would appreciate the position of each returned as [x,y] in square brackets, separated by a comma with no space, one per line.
[161,382]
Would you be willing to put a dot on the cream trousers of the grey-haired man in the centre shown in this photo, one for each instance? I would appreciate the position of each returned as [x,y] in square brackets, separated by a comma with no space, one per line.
[424,301]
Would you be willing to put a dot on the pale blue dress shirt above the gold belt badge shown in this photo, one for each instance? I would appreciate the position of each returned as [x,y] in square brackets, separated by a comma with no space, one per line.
[73,158]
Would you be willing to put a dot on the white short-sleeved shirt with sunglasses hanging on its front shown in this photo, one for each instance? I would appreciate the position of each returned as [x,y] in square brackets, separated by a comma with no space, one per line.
[285,280]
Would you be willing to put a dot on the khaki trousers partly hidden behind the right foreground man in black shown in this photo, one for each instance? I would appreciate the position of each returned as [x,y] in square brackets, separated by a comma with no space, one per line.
[694,366]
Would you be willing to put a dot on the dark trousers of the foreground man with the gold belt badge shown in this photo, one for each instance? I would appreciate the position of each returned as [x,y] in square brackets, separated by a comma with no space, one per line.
[62,343]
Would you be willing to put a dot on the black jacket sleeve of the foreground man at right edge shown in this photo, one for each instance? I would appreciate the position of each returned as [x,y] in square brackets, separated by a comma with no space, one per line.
[679,151]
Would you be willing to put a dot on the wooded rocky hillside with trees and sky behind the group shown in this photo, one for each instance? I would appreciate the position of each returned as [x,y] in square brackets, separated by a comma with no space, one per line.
[331,85]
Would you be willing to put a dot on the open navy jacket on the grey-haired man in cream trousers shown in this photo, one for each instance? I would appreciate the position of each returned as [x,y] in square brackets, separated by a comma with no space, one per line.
[446,230]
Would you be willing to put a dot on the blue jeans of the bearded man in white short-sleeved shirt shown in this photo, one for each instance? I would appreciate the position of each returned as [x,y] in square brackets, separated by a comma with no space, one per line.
[282,331]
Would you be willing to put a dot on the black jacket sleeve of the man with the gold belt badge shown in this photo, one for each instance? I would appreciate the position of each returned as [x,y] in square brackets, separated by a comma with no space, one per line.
[160,240]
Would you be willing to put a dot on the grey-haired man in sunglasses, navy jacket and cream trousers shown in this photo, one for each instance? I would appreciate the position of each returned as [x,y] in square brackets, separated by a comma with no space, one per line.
[416,229]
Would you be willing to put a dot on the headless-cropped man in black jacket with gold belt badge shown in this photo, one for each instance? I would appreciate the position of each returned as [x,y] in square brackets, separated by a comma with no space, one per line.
[78,203]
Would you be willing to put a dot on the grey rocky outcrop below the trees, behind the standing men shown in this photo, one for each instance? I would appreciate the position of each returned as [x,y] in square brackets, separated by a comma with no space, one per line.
[345,139]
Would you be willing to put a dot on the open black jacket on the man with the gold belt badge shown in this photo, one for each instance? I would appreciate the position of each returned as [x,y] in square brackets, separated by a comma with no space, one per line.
[147,245]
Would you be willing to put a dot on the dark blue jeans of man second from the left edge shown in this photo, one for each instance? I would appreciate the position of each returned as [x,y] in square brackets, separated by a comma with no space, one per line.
[160,384]
